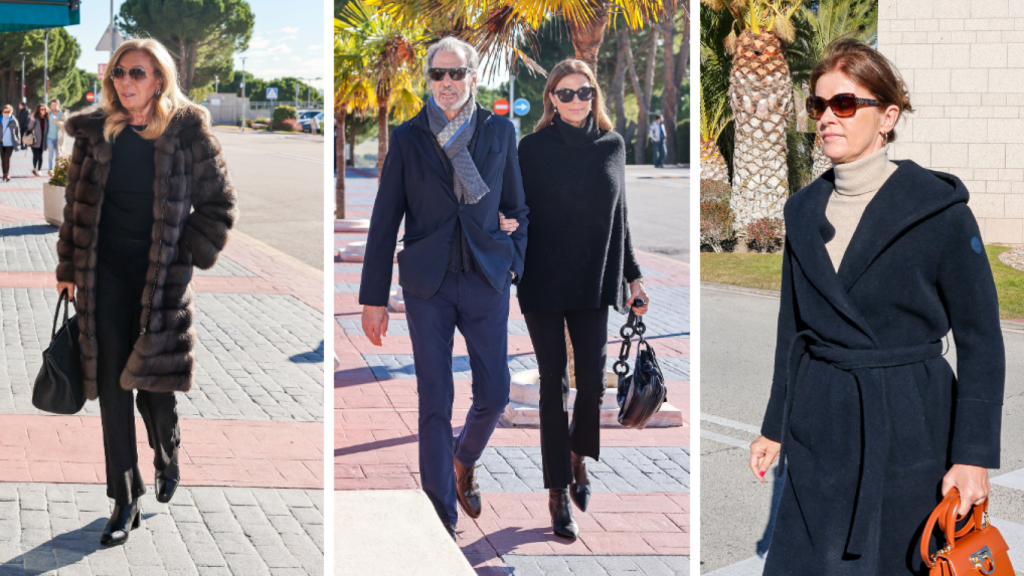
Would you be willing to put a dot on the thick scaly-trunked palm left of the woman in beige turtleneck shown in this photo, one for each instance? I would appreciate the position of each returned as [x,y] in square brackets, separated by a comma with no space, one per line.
[761,98]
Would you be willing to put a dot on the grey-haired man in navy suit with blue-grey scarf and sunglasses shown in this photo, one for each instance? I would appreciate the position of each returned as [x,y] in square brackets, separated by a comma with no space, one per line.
[453,174]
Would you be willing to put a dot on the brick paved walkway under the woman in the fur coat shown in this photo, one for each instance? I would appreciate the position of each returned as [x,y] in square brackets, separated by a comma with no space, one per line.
[252,450]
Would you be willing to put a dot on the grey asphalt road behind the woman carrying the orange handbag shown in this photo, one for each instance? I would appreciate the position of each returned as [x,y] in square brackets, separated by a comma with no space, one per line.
[737,358]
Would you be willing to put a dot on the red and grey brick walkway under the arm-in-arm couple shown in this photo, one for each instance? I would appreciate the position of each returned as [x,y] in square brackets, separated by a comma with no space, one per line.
[638,522]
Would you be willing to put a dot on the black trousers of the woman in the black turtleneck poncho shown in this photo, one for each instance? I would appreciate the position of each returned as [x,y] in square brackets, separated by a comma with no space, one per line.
[589,334]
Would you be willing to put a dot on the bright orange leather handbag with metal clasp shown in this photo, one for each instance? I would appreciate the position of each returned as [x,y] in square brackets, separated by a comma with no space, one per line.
[975,550]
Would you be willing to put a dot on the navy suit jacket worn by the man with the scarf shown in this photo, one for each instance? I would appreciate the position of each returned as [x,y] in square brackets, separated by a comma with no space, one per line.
[417,184]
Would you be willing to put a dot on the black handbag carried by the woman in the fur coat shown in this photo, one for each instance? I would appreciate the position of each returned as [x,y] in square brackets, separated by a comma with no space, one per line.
[60,387]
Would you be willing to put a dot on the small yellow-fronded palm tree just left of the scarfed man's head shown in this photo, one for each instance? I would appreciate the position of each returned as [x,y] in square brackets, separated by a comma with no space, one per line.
[390,55]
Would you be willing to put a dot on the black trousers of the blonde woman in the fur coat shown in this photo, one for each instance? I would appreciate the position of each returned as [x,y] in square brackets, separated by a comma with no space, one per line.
[121,278]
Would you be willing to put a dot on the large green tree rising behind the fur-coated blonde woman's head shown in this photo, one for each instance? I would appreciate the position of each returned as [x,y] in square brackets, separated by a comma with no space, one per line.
[196,32]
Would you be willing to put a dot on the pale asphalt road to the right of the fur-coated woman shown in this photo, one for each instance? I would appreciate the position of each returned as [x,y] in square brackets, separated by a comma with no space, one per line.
[280,180]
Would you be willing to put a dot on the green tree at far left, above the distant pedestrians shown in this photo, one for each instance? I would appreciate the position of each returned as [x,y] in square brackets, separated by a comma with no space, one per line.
[64,52]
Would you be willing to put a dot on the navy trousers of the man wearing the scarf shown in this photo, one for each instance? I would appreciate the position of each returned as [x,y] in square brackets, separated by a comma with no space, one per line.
[467,302]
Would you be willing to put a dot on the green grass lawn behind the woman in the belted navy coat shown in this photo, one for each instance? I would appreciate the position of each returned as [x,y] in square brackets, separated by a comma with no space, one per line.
[765,272]
